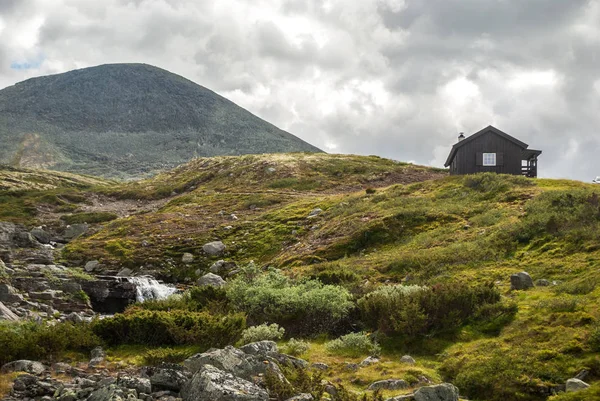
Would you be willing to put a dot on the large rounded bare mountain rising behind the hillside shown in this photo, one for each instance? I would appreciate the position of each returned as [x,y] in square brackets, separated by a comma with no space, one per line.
[126,120]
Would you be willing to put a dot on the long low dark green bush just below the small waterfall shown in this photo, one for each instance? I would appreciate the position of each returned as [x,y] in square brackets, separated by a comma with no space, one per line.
[177,327]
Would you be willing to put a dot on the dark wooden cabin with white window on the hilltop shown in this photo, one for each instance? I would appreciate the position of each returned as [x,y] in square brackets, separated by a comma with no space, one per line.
[491,150]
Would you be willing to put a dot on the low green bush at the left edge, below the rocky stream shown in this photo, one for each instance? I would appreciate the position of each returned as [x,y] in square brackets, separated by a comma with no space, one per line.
[34,341]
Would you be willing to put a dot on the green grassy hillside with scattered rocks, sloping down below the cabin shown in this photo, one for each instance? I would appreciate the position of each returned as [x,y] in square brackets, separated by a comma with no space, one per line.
[379,275]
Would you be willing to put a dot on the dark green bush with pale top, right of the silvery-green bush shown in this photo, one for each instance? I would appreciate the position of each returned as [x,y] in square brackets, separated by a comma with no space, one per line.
[416,311]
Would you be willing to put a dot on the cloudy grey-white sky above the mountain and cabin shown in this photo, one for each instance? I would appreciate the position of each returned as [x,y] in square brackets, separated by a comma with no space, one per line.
[395,78]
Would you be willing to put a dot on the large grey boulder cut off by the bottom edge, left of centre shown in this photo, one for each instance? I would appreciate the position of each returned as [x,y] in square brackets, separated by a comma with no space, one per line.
[213,384]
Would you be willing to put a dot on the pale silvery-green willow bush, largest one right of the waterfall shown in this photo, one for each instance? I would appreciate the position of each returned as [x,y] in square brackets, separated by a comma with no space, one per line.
[303,308]
